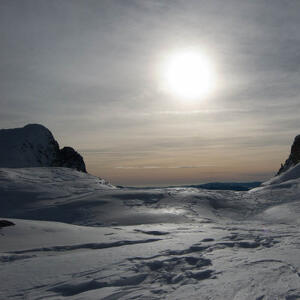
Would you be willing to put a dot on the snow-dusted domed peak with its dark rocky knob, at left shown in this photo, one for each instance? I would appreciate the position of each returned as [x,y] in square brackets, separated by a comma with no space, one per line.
[35,146]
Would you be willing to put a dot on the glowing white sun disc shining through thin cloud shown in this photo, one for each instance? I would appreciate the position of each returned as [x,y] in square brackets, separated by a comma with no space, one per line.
[189,75]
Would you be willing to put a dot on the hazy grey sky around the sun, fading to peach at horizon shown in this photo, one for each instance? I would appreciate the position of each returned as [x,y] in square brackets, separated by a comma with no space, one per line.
[90,72]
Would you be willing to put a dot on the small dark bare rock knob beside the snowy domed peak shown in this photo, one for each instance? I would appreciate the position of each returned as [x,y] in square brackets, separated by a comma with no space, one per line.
[69,158]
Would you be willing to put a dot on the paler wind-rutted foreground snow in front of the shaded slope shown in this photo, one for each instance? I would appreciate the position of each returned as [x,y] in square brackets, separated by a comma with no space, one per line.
[238,260]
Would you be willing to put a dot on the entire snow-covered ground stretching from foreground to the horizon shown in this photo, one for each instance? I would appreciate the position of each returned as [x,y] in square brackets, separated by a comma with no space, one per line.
[163,243]
